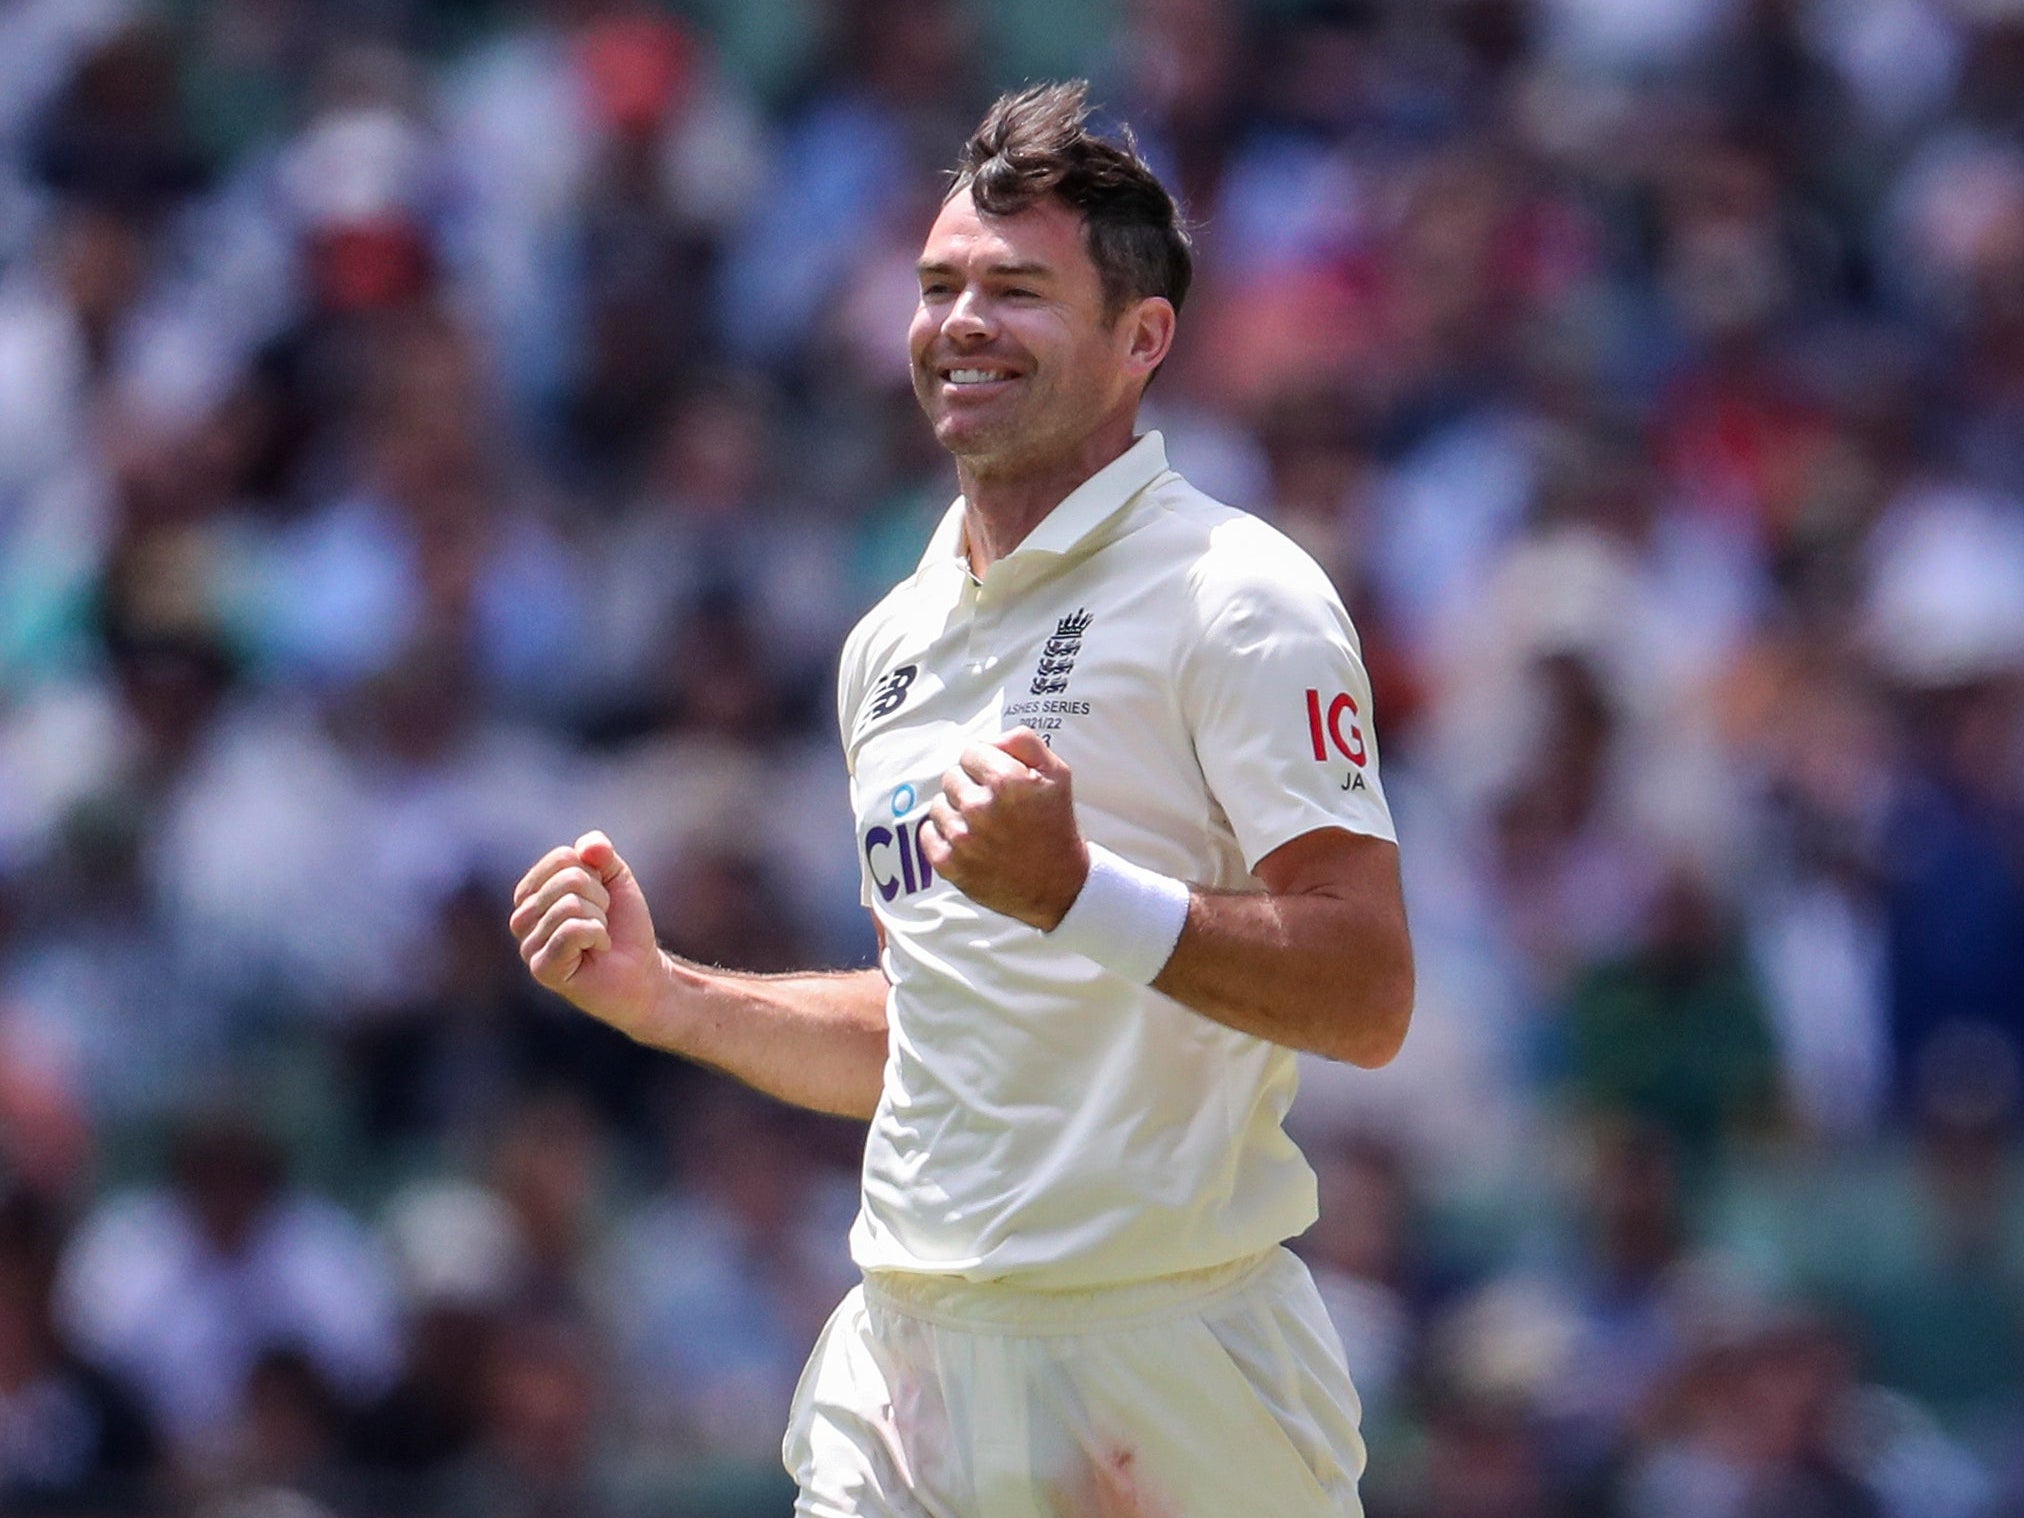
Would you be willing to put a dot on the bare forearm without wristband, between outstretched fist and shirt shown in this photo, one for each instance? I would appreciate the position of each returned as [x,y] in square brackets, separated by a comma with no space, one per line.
[811,1039]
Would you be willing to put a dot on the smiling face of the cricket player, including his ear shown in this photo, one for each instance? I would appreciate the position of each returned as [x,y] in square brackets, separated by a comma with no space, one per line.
[1015,359]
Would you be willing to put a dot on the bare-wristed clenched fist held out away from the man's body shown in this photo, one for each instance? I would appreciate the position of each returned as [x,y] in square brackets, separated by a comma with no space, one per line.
[586,932]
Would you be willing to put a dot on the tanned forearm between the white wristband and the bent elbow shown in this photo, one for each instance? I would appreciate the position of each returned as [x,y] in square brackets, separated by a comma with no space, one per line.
[1313,973]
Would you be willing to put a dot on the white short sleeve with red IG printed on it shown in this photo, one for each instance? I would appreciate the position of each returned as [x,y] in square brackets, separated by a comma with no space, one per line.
[1278,699]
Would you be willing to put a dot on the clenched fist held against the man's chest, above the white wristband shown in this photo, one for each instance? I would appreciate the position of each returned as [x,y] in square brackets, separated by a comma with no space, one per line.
[1003,831]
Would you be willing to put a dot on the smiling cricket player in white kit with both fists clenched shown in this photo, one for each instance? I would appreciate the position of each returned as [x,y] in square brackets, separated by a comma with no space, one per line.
[1104,932]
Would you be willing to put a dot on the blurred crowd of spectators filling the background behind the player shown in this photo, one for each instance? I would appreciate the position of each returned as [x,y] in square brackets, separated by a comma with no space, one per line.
[432,428]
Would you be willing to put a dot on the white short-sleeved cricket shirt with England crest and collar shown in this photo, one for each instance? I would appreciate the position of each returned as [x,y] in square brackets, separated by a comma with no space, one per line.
[1043,1120]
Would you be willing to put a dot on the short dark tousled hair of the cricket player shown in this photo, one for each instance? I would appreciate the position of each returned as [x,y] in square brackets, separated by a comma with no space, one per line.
[1037,143]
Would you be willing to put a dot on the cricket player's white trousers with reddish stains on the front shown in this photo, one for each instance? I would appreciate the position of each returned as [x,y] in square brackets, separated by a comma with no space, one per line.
[1209,1396]
